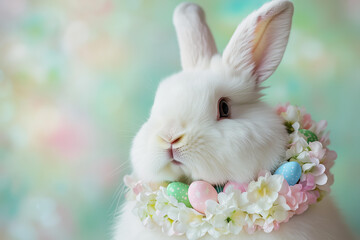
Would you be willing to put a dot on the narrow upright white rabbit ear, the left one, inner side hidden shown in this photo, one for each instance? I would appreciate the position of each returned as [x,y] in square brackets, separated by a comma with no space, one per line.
[196,42]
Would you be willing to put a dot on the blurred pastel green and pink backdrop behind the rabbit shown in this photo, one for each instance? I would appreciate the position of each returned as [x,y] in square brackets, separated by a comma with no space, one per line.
[77,80]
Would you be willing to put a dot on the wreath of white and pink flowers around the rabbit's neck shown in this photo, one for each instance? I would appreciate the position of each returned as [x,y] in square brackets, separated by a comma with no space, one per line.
[261,204]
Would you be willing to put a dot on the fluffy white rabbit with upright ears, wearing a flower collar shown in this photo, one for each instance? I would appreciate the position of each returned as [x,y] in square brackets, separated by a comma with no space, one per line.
[208,121]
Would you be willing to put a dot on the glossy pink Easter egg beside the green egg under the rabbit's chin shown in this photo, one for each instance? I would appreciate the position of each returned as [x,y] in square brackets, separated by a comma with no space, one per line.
[199,192]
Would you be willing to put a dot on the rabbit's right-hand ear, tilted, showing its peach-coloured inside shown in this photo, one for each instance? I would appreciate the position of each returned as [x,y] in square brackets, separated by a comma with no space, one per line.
[259,42]
